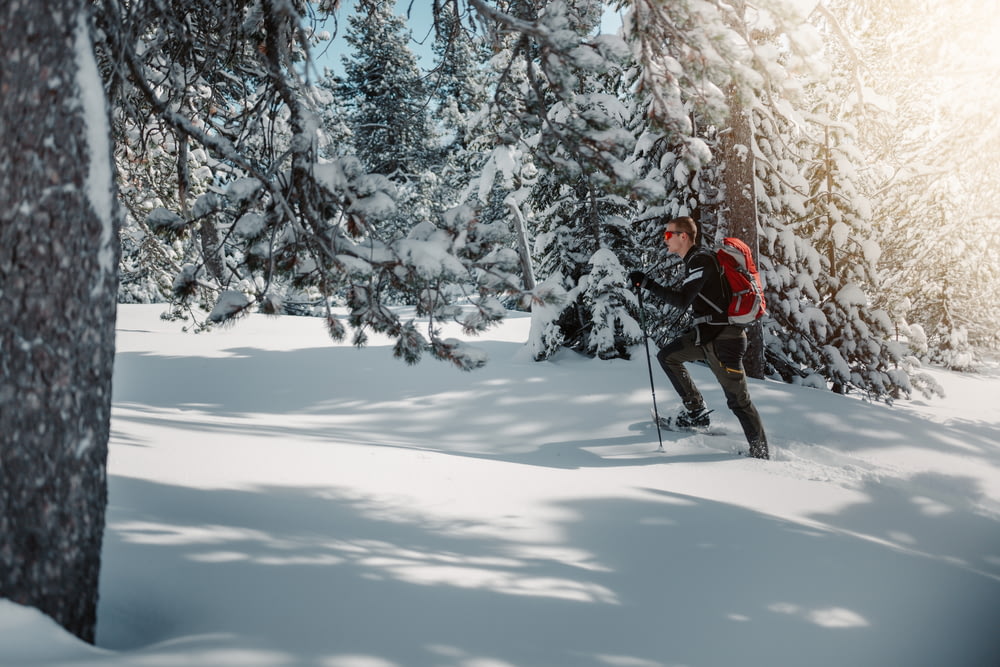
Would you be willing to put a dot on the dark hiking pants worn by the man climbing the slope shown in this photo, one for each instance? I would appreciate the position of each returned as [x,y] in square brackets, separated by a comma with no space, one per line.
[725,357]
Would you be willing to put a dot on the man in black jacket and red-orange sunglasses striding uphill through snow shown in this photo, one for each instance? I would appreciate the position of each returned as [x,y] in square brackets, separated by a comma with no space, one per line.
[712,339]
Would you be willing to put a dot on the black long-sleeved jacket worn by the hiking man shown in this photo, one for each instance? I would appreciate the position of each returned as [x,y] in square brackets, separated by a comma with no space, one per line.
[703,278]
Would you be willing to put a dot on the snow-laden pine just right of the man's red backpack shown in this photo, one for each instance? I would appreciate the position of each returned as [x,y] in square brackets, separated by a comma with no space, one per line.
[826,252]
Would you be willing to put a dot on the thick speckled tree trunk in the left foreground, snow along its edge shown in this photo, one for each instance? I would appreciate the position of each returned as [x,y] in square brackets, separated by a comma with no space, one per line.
[58,287]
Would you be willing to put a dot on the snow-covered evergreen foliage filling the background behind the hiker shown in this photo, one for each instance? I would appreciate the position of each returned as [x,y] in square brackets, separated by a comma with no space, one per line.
[568,145]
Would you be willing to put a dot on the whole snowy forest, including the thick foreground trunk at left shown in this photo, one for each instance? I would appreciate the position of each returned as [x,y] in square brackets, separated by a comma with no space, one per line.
[529,167]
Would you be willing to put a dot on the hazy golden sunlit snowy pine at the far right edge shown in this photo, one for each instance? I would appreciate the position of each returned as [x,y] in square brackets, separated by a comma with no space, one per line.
[918,55]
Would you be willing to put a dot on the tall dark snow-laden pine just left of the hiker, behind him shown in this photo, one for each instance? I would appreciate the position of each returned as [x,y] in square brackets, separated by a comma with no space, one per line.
[557,100]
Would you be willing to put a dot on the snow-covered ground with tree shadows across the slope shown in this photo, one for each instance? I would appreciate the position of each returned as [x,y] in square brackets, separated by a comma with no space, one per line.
[279,499]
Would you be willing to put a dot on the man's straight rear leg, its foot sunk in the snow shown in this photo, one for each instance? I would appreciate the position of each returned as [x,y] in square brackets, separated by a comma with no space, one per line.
[725,357]
